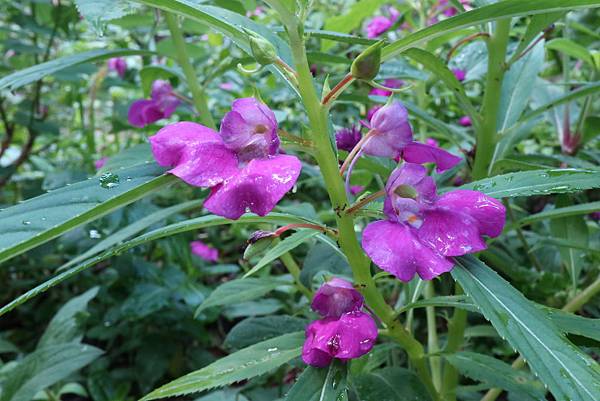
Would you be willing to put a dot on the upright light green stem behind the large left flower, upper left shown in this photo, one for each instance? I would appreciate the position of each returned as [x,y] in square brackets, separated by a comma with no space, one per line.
[198,94]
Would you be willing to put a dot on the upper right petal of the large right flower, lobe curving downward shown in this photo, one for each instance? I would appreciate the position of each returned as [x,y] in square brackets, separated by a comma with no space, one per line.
[489,212]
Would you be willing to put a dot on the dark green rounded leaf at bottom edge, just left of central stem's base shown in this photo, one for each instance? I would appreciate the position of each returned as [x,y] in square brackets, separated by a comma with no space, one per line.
[391,383]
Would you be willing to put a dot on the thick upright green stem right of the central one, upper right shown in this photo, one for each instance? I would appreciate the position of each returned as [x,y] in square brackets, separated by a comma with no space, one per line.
[486,135]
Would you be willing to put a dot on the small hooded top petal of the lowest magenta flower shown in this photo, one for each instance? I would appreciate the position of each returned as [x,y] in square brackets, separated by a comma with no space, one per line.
[336,297]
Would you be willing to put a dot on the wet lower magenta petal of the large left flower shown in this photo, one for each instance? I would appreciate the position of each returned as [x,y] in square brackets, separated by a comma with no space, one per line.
[258,187]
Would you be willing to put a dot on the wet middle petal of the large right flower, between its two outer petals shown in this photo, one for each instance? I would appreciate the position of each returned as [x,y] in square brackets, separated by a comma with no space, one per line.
[450,232]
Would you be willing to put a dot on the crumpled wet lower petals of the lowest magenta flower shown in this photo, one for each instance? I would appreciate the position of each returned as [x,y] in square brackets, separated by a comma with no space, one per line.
[349,337]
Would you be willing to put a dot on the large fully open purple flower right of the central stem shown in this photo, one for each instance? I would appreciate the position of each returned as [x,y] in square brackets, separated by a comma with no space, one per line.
[423,230]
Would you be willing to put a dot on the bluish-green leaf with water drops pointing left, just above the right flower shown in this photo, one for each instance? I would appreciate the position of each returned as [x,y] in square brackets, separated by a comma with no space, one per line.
[537,182]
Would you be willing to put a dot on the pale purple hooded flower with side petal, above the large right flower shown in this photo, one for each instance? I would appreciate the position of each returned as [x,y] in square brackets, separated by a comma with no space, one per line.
[392,137]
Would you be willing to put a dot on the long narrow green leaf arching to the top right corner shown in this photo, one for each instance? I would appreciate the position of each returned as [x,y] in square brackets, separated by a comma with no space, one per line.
[499,10]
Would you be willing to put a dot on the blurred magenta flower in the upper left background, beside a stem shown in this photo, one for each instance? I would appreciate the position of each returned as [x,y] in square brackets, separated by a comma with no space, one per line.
[161,105]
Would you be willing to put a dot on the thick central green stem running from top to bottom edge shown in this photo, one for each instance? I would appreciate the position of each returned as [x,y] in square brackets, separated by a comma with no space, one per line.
[327,160]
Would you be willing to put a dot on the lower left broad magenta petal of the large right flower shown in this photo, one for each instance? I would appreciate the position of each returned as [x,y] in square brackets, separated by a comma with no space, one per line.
[395,249]
